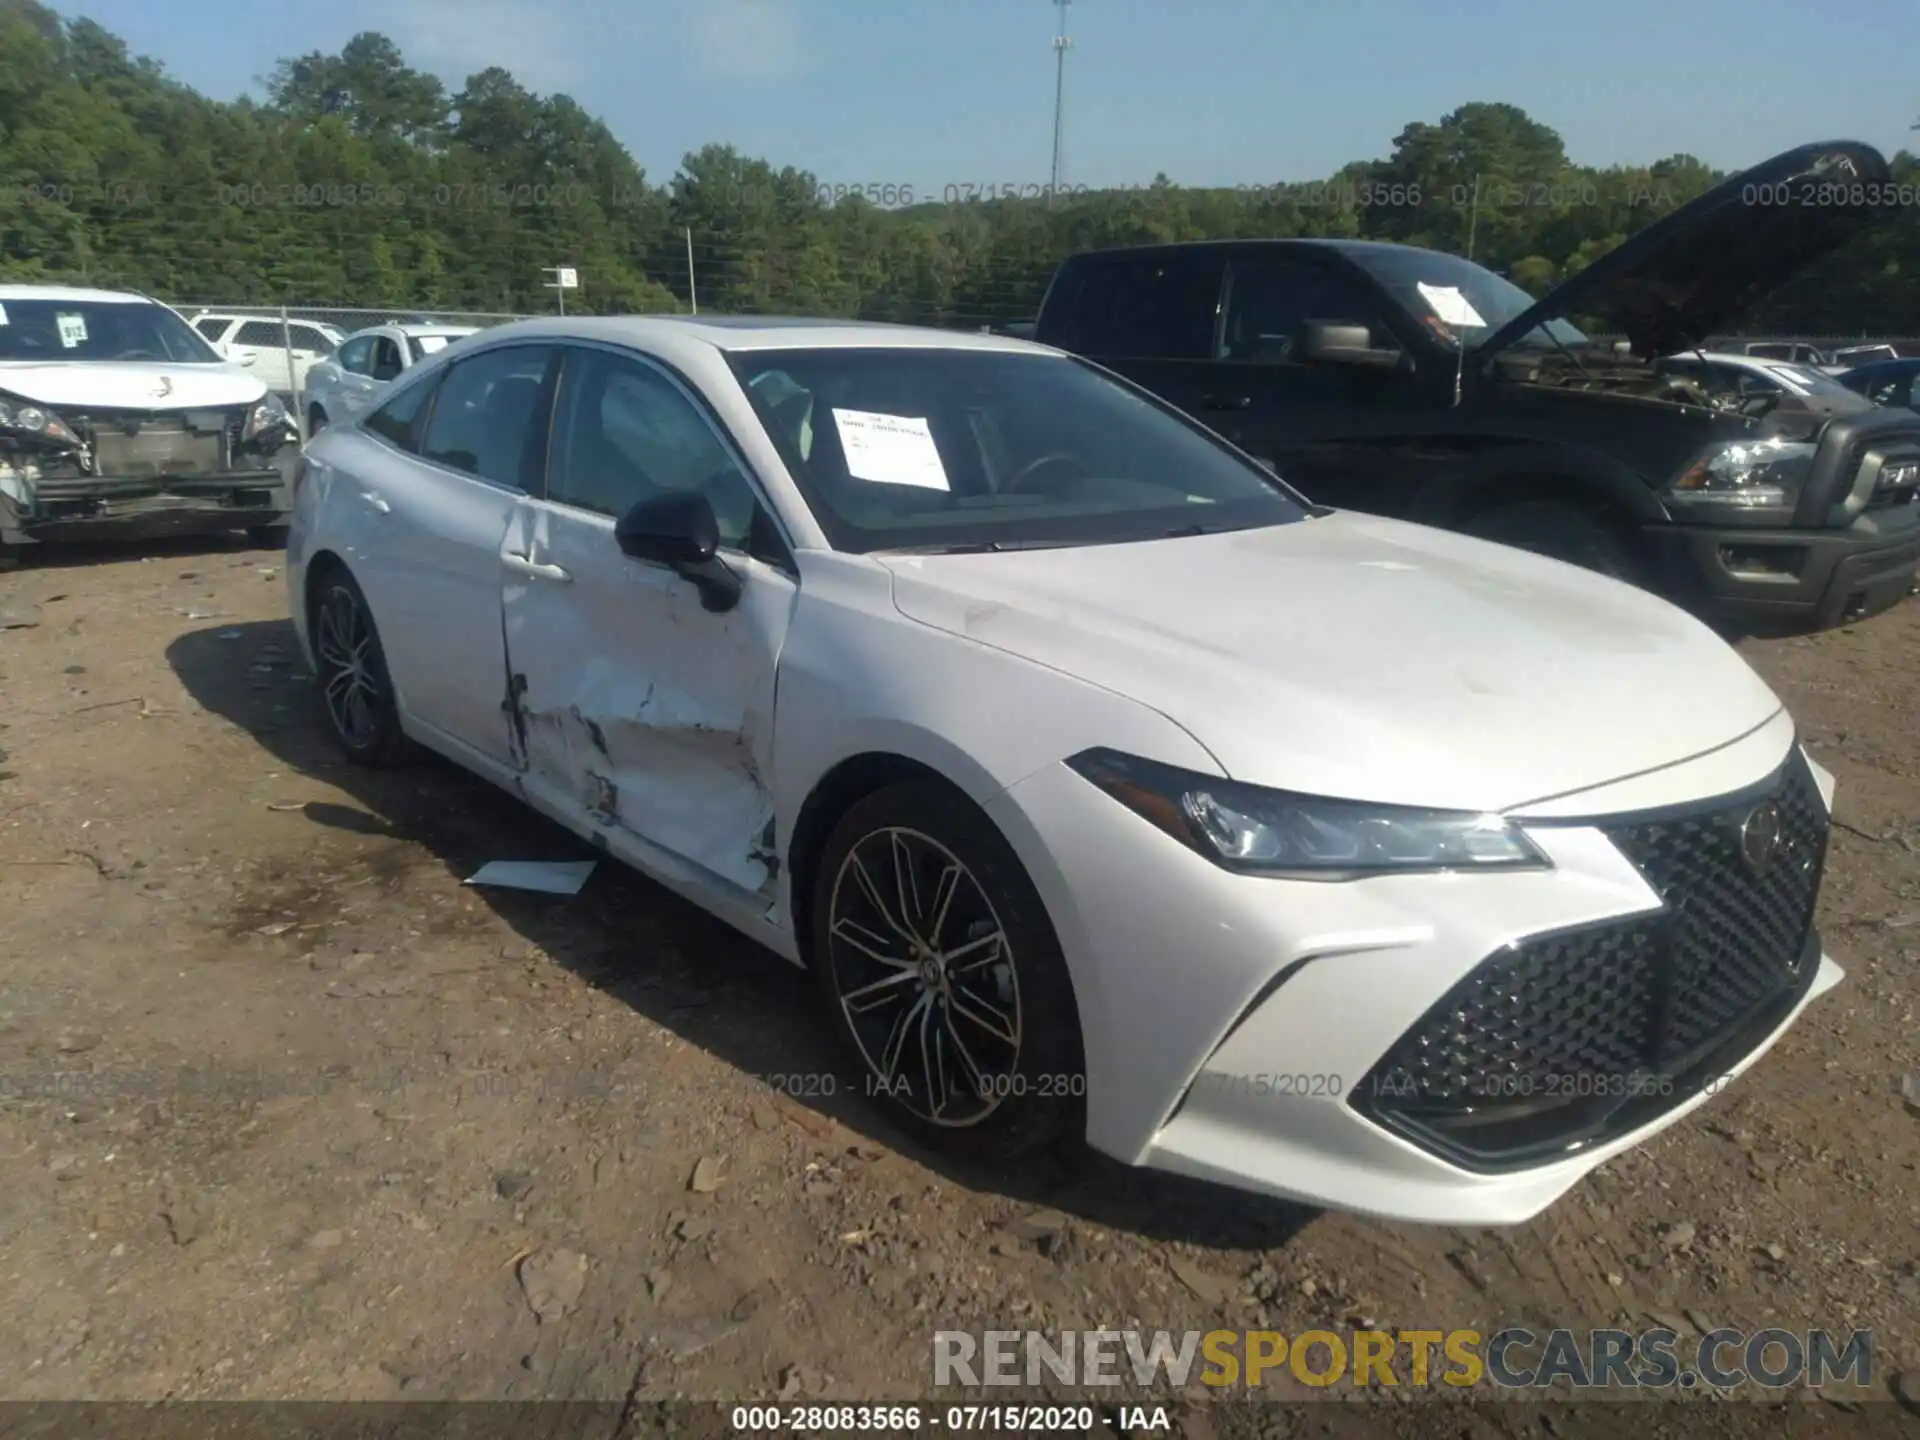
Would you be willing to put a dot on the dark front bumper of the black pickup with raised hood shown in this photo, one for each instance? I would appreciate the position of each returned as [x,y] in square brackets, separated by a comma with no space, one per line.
[1787,583]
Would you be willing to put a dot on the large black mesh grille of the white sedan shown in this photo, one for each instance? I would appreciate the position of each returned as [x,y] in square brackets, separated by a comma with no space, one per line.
[1593,1032]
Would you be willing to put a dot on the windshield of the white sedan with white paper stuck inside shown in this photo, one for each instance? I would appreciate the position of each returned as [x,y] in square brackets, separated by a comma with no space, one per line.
[969,448]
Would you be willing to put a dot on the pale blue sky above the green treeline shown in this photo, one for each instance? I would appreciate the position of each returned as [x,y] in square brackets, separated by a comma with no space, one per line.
[936,93]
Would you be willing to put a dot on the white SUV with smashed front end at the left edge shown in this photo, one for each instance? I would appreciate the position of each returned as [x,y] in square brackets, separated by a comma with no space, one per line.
[118,420]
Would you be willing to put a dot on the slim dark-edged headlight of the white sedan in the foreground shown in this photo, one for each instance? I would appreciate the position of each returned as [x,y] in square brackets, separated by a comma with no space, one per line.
[1308,838]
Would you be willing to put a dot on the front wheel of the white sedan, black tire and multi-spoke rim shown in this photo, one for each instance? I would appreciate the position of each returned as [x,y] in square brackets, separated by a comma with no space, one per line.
[994,1065]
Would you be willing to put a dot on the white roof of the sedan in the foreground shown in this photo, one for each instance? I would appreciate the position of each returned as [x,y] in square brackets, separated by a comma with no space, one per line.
[742,333]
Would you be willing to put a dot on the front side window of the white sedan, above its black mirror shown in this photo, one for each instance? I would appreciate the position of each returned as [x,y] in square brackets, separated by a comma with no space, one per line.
[625,433]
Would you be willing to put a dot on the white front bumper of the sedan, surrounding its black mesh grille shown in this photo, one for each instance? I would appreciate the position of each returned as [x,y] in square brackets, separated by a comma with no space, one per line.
[1230,1022]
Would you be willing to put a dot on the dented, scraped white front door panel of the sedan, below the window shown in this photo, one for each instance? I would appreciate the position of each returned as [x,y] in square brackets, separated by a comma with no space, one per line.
[635,706]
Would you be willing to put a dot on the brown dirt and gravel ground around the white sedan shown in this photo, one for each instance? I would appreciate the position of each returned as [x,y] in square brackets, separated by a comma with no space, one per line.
[289,1113]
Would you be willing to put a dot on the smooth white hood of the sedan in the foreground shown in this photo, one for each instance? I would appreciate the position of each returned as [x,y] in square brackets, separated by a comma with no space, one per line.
[1362,658]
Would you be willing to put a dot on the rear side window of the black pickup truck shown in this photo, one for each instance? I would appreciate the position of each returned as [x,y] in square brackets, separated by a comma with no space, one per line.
[1145,308]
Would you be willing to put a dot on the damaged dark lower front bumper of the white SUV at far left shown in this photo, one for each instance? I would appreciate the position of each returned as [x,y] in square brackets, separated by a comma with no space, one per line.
[80,508]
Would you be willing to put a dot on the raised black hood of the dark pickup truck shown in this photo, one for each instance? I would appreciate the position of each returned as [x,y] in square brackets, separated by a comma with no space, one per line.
[1687,276]
